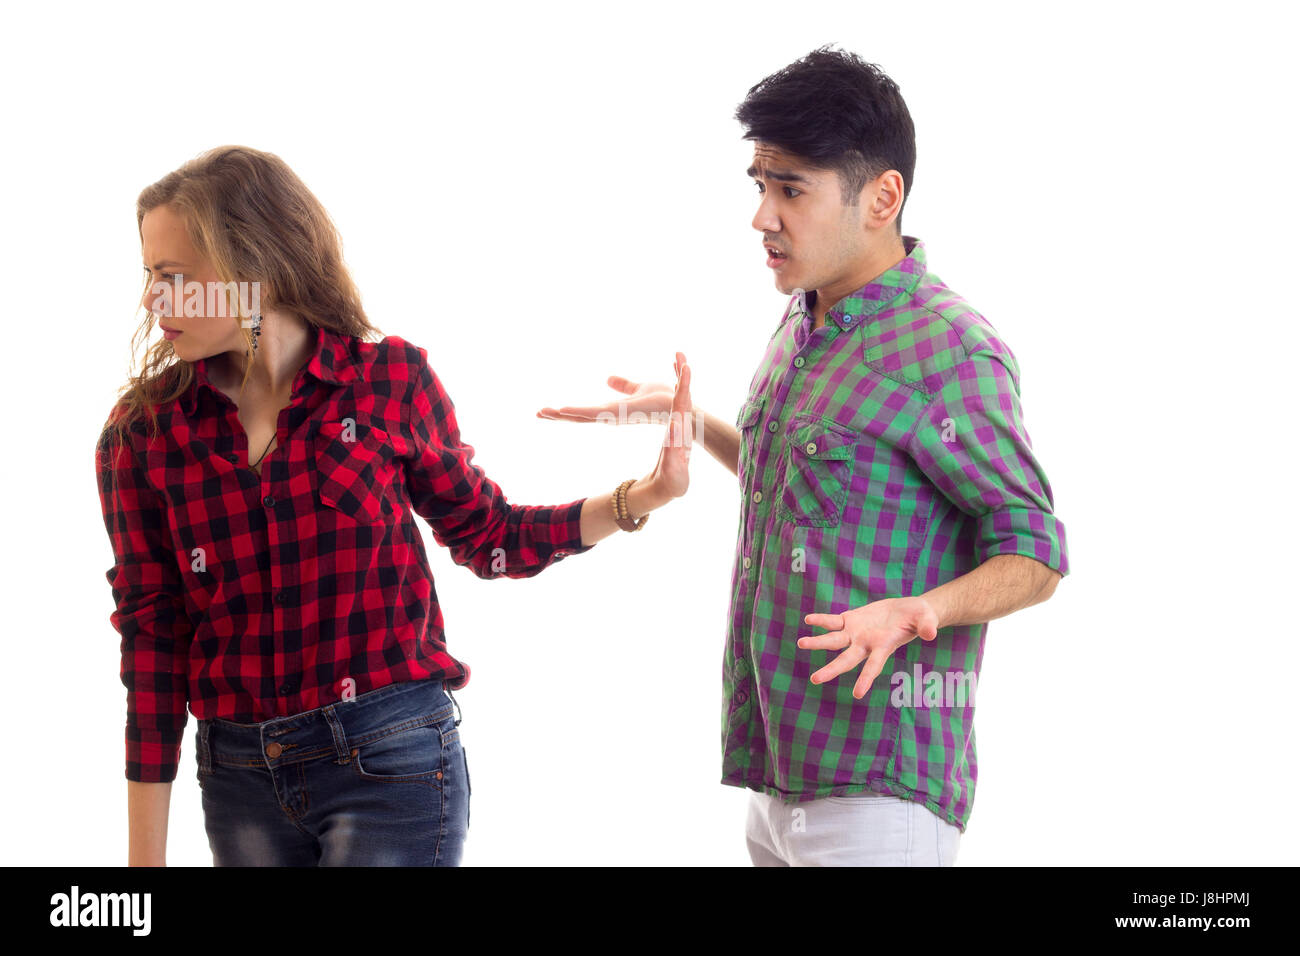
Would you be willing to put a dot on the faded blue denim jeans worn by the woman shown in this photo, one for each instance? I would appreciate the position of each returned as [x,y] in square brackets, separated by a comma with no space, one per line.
[378,781]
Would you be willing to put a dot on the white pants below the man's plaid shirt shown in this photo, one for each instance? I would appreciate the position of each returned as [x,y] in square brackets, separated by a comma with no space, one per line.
[869,830]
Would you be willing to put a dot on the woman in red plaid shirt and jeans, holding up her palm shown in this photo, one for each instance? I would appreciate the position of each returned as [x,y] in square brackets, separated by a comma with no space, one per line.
[261,479]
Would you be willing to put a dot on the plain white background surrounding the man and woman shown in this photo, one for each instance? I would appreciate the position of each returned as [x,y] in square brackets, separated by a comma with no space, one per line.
[545,196]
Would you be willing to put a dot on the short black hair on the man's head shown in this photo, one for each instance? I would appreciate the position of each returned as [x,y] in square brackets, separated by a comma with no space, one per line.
[838,113]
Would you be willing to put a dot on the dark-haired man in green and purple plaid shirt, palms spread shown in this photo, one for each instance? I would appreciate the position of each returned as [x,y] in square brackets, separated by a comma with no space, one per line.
[890,492]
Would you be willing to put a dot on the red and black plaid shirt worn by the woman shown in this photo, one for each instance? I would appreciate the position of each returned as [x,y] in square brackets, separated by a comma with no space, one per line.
[254,598]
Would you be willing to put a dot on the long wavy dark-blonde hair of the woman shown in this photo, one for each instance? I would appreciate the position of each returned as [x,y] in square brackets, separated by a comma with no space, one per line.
[250,215]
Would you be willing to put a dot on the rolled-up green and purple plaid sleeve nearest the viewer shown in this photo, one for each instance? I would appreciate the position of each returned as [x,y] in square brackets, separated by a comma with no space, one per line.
[973,445]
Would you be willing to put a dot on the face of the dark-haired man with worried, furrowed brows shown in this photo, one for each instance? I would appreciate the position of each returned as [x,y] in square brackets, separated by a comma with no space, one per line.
[814,241]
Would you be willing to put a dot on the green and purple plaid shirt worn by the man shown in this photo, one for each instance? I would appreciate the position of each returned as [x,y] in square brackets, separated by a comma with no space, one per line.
[881,456]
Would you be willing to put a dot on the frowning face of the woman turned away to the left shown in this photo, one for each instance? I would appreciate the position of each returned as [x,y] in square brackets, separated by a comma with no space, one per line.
[198,321]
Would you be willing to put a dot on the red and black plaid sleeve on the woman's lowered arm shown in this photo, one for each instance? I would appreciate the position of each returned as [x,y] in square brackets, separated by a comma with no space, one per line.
[150,616]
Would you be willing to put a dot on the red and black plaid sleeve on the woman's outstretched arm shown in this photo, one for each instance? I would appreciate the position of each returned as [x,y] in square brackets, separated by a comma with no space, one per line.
[469,512]
